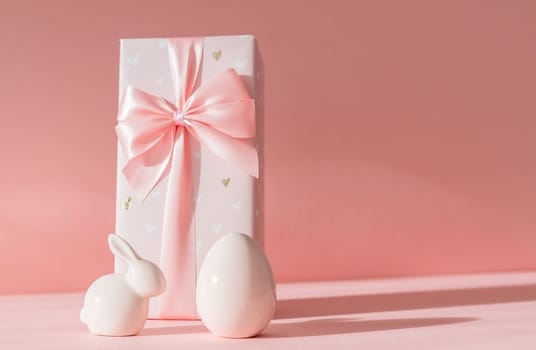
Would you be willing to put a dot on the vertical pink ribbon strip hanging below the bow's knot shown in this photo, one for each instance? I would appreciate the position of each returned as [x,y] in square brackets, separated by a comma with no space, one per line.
[177,258]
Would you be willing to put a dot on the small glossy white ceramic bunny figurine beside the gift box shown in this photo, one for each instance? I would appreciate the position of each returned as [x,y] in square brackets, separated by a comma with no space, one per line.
[117,304]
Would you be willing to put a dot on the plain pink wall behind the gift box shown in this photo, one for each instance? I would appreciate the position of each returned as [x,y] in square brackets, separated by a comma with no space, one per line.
[399,134]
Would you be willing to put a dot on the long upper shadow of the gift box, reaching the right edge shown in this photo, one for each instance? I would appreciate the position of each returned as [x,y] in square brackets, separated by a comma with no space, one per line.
[355,304]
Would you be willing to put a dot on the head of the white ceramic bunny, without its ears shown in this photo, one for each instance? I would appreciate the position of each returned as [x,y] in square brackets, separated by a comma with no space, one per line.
[145,278]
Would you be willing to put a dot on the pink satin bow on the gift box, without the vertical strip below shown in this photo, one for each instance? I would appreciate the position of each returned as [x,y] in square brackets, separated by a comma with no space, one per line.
[147,122]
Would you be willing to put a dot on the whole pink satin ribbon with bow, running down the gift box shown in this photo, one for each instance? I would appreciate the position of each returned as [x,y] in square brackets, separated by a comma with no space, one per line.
[154,135]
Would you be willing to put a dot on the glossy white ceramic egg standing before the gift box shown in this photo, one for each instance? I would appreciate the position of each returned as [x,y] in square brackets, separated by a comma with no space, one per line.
[235,288]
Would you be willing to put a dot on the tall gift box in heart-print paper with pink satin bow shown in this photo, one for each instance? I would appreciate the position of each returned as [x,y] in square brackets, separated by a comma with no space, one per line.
[189,154]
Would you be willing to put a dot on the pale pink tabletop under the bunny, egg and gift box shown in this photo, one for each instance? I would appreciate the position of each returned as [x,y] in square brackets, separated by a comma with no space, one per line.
[491,311]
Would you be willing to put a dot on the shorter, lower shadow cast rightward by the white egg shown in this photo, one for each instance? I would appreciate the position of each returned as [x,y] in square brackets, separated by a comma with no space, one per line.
[344,326]
